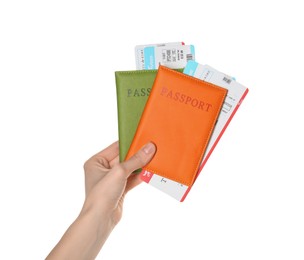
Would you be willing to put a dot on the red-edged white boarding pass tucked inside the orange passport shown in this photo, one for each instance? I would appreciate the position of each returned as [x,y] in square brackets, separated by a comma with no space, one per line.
[235,96]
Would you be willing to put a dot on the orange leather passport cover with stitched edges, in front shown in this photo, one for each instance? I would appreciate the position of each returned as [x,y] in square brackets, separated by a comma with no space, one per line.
[178,118]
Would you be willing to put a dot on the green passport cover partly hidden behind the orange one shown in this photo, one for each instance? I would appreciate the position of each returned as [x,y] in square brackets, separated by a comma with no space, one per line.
[132,90]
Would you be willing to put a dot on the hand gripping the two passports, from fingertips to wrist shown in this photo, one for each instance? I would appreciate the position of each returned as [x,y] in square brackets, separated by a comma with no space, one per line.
[107,181]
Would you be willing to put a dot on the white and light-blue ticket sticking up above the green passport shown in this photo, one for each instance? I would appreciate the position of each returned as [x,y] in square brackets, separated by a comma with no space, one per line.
[171,55]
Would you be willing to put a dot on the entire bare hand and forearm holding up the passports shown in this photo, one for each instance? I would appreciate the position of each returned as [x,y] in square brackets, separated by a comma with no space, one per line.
[106,184]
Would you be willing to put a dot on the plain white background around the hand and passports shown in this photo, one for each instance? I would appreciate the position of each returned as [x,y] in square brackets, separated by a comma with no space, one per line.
[58,107]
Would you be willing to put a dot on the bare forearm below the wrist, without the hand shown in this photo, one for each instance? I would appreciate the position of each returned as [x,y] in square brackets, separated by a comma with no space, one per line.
[84,238]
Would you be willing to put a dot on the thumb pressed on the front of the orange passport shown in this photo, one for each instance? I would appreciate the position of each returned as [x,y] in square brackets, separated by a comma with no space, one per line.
[140,159]
